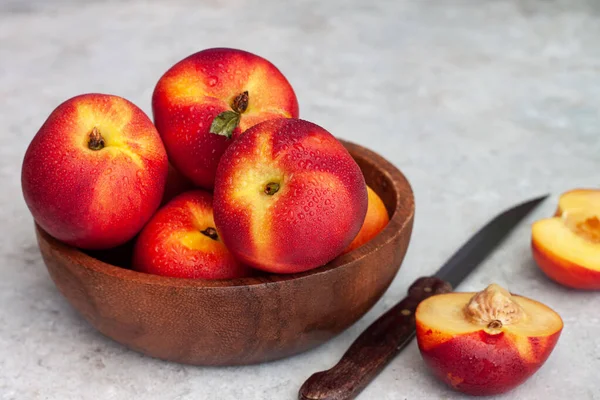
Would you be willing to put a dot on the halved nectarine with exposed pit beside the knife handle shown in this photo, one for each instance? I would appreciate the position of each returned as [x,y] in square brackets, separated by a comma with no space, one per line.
[485,343]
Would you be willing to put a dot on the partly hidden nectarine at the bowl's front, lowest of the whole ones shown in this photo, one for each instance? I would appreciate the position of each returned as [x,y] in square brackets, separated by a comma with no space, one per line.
[161,247]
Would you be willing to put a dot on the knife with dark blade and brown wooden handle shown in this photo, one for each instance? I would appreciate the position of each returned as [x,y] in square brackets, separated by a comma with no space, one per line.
[388,335]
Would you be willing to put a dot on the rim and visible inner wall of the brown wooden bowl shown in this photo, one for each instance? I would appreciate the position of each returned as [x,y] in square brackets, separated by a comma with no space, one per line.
[385,179]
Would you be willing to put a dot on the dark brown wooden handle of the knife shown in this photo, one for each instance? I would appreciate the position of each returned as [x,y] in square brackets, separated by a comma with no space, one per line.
[374,348]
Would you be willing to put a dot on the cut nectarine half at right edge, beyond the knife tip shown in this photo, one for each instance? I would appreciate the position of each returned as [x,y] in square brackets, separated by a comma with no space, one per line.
[567,246]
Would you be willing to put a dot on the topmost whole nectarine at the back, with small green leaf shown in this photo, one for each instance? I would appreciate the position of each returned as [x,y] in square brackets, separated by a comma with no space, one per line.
[195,90]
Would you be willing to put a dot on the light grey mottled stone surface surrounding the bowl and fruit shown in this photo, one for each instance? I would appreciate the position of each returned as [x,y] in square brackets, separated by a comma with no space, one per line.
[481,103]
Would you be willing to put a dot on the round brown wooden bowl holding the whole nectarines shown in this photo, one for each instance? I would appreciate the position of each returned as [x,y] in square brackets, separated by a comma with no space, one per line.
[241,321]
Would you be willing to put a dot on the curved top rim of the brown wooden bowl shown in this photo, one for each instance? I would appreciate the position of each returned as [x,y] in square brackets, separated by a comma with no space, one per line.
[402,215]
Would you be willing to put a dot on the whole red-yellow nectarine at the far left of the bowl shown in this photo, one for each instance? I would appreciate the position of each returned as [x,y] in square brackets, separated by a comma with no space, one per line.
[94,199]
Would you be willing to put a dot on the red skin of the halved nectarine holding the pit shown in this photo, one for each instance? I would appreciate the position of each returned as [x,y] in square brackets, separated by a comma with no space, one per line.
[481,364]
